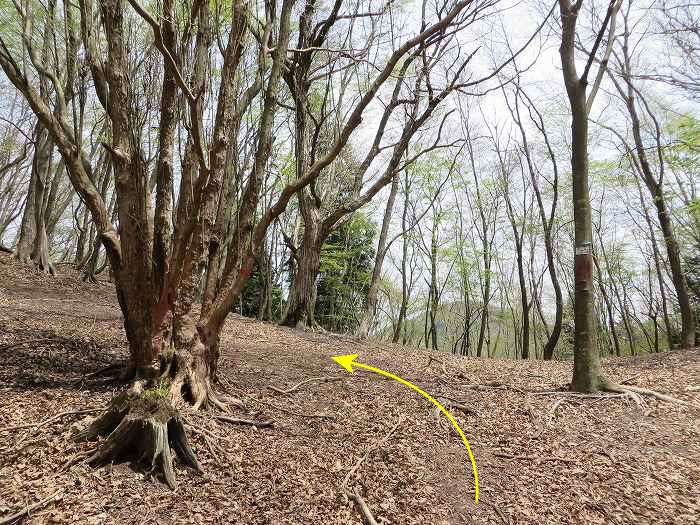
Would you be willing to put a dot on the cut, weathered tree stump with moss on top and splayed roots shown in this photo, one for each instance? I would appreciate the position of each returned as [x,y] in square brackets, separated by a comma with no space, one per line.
[142,428]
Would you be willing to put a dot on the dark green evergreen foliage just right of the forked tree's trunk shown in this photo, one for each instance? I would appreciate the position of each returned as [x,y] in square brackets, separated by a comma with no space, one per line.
[347,259]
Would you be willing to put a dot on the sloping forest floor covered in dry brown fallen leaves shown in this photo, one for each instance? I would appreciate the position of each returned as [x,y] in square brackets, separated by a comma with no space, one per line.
[541,458]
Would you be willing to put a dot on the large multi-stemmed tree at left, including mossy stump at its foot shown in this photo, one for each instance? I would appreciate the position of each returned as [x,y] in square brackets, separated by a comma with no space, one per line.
[161,246]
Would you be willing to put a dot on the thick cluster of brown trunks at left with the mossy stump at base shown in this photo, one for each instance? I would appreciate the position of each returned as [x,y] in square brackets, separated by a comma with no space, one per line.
[149,291]
